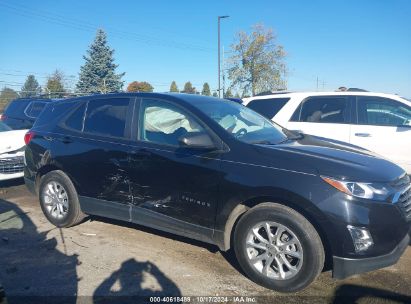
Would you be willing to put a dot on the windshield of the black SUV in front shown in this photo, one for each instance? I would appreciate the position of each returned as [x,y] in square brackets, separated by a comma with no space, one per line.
[242,123]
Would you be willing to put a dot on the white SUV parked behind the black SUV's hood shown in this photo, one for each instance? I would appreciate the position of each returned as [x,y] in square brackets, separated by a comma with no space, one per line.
[375,121]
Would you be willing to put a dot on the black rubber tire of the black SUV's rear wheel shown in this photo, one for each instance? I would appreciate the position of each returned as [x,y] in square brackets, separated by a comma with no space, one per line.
[74,214]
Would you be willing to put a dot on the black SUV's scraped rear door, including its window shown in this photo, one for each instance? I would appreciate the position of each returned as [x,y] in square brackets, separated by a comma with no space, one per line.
[94,150]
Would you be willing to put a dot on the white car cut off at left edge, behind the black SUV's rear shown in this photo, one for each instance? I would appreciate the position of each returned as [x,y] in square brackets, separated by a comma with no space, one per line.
[11,152]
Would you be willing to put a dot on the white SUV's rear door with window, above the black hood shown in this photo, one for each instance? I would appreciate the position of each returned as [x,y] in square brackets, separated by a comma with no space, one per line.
[324,116]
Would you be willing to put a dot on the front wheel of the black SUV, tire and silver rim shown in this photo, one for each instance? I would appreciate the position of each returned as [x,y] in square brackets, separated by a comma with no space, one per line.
[278,248]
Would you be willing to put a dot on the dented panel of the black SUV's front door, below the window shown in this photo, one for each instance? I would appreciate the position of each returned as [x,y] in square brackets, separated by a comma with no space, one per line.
[175,182]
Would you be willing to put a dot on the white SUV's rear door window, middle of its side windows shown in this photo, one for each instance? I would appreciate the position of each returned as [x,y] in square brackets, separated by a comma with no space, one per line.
[324,109]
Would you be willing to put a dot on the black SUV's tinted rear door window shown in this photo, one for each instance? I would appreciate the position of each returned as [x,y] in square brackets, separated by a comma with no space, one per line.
[107,117]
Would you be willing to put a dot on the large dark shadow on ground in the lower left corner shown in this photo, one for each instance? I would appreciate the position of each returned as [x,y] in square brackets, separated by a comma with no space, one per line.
[30,264]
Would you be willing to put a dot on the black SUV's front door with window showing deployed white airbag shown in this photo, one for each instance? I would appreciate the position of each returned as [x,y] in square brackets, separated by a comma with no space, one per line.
[167,179]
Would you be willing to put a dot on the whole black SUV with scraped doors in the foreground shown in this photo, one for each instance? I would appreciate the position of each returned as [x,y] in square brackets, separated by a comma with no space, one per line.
[216,171]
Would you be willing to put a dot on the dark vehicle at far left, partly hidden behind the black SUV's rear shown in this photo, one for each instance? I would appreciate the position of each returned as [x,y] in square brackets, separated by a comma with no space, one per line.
[21,113]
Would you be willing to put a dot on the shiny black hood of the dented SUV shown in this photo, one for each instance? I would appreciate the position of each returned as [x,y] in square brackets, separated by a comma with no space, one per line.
[336,159]
